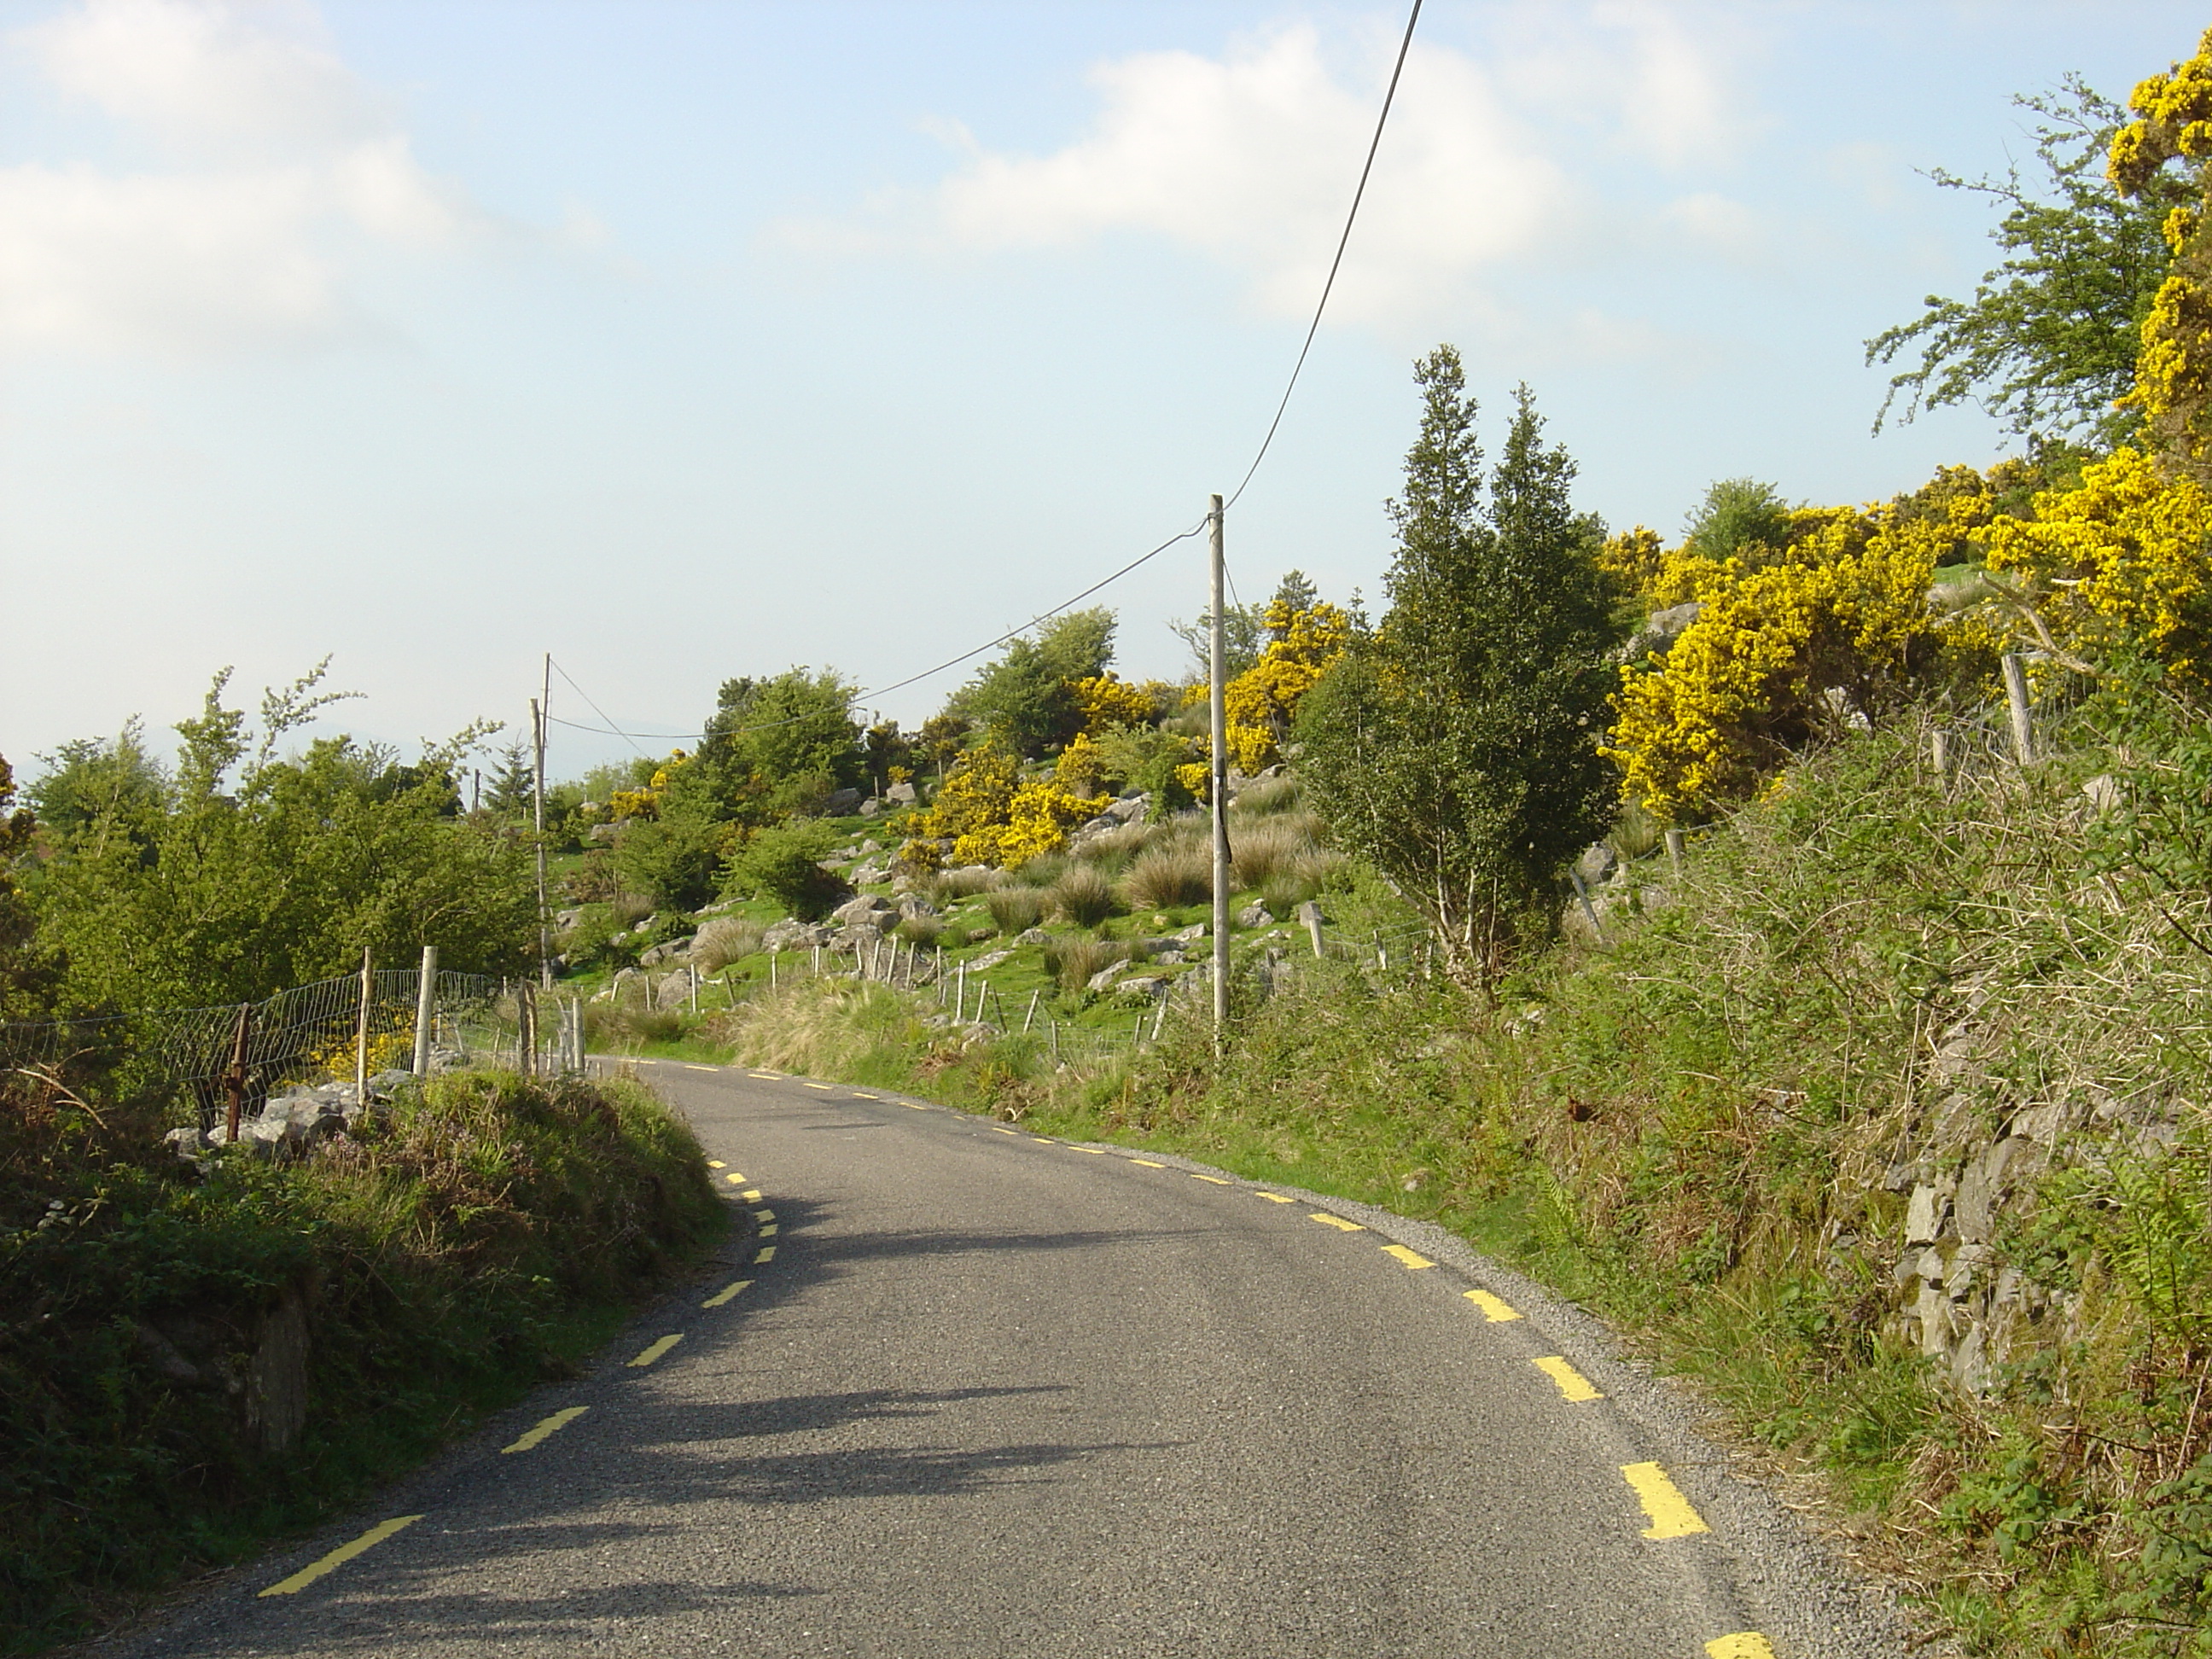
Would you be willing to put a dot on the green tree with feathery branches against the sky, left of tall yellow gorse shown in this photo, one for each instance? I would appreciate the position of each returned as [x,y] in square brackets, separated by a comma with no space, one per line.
[2052,335]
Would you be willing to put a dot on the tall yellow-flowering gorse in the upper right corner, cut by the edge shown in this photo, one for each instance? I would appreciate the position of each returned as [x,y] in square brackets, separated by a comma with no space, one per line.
[2173,373]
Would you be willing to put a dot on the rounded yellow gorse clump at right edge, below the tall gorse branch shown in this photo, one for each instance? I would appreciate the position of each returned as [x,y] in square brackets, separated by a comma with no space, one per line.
[2118,559]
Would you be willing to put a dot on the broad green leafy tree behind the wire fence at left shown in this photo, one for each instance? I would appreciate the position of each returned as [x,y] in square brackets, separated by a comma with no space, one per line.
[262,873]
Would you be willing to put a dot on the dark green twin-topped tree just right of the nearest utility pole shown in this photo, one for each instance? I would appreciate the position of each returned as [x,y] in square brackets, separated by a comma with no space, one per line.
[1457,744]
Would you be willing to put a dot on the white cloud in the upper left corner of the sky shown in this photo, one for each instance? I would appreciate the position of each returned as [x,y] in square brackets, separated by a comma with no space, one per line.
[278,169]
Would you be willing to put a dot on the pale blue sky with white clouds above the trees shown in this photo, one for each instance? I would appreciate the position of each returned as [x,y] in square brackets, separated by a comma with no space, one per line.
[705,340]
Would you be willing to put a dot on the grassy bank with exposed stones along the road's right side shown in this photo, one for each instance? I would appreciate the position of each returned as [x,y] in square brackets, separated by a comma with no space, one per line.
[1884,1120]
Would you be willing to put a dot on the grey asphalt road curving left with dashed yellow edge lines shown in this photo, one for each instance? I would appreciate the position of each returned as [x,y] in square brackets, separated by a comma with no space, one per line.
[994,1395]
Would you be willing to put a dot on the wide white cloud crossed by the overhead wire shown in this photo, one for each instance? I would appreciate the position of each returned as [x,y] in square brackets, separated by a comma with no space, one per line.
[1494,158]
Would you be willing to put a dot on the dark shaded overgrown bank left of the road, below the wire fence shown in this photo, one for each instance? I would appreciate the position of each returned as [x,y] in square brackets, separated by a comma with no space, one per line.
[435,1264]
